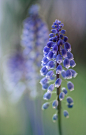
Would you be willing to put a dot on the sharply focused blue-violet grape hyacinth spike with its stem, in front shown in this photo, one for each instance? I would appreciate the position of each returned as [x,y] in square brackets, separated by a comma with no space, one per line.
[56,63]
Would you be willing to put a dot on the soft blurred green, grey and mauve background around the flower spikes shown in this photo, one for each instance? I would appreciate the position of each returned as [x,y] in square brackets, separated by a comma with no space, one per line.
[26,117]
